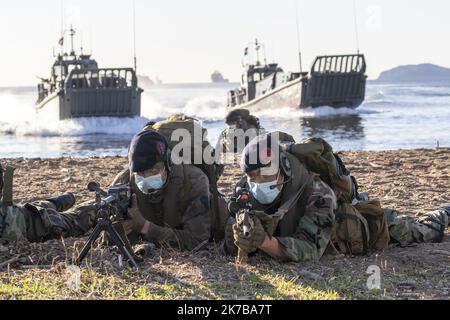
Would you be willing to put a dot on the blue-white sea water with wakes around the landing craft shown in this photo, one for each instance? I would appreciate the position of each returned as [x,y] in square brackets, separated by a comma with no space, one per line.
[393,116]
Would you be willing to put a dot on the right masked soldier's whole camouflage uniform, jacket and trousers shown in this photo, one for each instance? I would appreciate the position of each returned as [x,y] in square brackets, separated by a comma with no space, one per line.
[305,230]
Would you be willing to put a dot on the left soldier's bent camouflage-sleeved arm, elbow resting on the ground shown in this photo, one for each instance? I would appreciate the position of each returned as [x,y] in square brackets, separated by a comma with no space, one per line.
[196,226]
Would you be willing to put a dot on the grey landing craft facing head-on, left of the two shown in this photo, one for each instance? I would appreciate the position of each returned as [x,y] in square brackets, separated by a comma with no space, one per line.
[82,89]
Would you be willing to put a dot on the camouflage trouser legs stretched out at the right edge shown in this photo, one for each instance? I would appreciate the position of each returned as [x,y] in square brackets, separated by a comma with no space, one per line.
[429,227]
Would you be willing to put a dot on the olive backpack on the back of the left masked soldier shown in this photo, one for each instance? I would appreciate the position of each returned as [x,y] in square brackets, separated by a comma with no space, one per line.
[212,170]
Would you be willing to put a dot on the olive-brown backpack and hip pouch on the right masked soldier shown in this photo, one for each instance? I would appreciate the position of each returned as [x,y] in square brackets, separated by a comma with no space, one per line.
[360,226]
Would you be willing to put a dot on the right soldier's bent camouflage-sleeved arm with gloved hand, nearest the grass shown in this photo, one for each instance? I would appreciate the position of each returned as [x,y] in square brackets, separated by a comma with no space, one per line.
[313,232]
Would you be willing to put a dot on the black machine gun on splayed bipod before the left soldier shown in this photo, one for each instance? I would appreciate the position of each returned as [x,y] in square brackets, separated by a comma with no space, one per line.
[113,203]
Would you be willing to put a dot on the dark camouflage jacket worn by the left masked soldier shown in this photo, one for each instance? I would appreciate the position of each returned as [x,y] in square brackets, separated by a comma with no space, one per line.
[180,214]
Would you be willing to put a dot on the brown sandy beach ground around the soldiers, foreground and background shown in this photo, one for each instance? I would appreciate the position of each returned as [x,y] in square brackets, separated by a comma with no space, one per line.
[411,181]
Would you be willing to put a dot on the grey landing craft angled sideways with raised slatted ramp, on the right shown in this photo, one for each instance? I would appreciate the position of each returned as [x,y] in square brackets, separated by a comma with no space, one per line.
[335,81]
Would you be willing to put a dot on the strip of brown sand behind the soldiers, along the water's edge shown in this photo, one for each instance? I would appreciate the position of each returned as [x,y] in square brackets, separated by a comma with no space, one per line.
[383,174]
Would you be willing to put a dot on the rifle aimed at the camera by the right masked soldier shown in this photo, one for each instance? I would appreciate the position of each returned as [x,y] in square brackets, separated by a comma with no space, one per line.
[240,208]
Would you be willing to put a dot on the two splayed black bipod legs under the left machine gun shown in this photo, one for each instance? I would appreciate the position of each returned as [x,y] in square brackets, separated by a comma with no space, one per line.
[105,224]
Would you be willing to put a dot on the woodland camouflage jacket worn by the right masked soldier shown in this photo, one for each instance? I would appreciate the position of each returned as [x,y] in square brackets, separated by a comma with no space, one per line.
[305,230]
